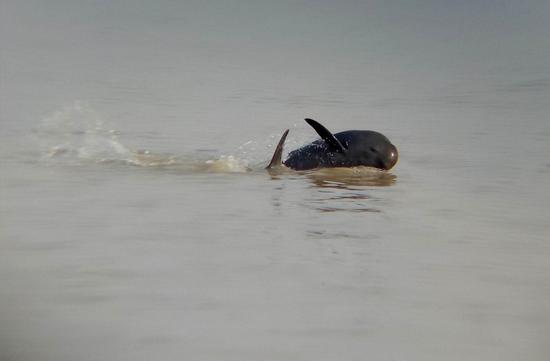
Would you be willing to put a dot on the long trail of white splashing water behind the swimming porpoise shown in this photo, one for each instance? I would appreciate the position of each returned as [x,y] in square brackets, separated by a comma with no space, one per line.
[77,134]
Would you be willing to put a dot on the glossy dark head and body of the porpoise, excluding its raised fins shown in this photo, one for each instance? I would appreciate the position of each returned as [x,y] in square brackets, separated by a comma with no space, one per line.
[364,148]
